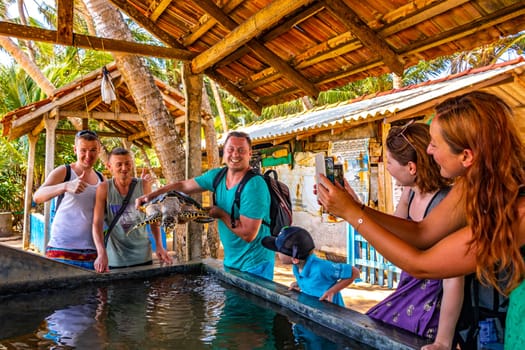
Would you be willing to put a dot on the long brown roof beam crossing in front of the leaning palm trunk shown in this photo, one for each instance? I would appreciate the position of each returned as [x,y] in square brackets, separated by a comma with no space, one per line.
[94,43]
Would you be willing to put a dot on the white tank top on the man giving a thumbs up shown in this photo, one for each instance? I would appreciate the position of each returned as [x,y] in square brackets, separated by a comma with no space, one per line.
[72,225]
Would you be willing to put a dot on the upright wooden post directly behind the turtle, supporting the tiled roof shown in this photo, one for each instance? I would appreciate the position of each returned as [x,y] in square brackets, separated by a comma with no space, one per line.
[193,94]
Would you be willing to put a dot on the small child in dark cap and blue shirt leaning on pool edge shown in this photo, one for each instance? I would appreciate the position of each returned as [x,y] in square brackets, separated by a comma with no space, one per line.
[314,276]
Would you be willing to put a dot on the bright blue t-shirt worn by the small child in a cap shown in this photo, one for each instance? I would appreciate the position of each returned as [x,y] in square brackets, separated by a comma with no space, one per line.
[319,275]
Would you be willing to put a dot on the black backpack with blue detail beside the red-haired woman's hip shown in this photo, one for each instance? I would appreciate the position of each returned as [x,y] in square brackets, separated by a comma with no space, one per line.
[484,309]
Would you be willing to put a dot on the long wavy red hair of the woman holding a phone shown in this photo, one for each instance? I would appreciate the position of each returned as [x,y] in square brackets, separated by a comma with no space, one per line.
[483,123]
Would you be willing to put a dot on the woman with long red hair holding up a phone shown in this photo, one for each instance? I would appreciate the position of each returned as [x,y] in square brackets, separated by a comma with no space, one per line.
[480,226]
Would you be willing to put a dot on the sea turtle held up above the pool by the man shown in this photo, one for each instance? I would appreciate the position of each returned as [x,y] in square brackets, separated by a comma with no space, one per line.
[172,208]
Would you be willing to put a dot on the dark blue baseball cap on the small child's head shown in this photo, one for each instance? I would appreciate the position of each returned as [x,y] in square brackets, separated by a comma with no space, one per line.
[293,241]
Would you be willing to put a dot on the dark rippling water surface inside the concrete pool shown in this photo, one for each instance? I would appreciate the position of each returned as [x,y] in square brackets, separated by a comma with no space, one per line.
[178,311]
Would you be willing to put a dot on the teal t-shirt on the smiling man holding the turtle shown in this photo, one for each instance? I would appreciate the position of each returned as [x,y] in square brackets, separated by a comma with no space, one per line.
[255,204]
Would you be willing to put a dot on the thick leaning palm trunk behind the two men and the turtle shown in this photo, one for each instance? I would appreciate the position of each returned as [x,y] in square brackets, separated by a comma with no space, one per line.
[159,123]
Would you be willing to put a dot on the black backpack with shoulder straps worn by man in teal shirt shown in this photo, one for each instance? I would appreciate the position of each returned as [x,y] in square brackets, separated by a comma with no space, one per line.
[281,202]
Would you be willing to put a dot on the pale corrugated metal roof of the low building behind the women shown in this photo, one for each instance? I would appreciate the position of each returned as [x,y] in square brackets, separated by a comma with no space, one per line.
[382,105]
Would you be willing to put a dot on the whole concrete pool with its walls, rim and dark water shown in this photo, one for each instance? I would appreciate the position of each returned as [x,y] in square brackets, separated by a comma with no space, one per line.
[26,310]
